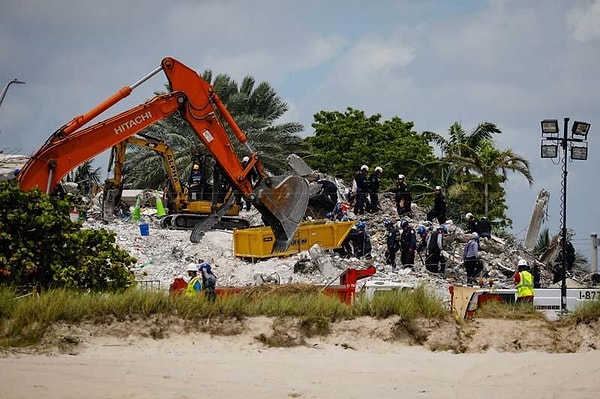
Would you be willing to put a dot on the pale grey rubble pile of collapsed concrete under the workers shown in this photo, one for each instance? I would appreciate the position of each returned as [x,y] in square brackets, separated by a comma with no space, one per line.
[164,254]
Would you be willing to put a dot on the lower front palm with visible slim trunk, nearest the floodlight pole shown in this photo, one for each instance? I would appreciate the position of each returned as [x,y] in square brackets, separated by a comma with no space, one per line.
[487,161]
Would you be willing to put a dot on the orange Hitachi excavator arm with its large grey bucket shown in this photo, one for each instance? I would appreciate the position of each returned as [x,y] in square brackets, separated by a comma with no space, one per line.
[281,200]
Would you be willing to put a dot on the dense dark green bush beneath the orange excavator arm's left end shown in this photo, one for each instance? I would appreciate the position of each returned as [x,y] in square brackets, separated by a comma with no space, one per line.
[41,246]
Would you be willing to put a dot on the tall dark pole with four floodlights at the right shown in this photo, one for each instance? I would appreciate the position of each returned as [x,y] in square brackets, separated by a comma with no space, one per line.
[577,143]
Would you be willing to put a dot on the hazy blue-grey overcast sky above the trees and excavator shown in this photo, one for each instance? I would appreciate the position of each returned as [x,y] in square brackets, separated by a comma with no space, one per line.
[510,62]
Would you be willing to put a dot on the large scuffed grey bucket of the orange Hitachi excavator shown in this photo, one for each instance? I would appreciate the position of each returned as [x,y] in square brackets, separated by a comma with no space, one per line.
[282,201]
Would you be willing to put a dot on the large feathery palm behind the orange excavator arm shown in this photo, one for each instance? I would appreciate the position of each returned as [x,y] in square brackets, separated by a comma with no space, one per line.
[255,109]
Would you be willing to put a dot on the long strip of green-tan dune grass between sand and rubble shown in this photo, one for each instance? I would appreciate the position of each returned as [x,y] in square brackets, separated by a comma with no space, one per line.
[24,320]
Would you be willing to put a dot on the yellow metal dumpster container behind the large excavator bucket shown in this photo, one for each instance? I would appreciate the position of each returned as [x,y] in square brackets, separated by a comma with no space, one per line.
[257,242]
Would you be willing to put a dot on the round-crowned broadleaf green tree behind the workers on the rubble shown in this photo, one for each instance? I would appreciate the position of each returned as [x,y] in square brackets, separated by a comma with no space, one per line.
[344,141]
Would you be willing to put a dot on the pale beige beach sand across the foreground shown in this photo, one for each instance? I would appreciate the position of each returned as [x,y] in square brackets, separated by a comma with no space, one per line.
[357,360]
